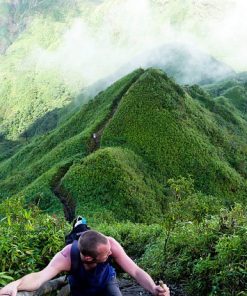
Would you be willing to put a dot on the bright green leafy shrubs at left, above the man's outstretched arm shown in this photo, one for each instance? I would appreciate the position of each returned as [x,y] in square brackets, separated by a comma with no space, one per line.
[29,239]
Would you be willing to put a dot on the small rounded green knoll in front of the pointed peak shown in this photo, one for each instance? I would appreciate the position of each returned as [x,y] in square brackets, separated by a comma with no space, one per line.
[114,183]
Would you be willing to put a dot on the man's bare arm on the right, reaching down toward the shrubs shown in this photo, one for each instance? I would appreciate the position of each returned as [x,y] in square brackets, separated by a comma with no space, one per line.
[129,266]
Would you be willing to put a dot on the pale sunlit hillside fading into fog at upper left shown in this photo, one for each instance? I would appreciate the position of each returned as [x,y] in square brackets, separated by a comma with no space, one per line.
[31,93]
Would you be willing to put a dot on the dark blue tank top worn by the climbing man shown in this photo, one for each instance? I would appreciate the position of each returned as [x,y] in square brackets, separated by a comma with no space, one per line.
[87,282]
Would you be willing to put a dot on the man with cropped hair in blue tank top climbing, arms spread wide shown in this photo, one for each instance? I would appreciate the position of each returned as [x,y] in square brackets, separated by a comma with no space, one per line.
[87,261]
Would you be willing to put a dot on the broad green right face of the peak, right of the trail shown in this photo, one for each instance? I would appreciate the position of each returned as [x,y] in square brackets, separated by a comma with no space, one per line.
[168,129]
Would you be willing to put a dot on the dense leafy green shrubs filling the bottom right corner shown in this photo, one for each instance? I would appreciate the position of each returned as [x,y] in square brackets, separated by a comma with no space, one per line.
[208,258]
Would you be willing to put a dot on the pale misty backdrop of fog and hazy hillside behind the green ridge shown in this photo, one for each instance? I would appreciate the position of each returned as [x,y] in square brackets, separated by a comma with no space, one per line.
[63,47]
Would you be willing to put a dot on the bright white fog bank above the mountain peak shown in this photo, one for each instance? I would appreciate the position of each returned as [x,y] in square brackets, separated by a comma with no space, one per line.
[108,35]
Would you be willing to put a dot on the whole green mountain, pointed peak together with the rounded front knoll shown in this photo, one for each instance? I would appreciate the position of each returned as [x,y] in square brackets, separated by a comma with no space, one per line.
[161,126]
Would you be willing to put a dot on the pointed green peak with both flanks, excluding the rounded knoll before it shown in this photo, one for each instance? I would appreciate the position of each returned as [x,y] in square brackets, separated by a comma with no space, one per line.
[172,133]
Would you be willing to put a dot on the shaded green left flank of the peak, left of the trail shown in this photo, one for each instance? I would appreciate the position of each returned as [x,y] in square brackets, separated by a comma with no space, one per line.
[43,156]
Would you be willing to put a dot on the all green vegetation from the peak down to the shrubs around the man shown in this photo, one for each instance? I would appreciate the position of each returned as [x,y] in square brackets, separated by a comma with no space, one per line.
[166,176]
